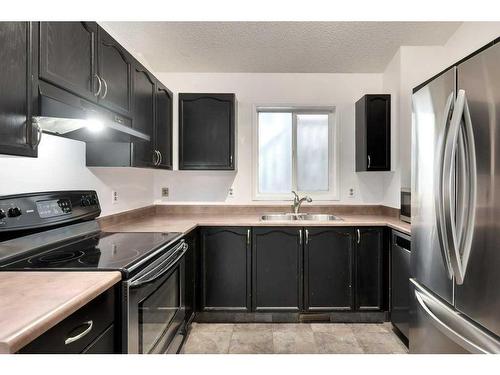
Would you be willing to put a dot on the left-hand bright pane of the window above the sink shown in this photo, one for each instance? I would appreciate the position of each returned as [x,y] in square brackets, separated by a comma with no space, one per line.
[275,152]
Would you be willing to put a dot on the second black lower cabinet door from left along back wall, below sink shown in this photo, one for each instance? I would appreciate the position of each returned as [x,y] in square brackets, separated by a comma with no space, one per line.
[277,269]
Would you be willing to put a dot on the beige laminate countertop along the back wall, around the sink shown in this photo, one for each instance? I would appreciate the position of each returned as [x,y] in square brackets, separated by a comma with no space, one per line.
[186,222]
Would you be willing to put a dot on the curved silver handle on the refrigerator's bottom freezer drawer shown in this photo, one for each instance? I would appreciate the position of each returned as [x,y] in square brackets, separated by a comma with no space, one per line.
[453,325]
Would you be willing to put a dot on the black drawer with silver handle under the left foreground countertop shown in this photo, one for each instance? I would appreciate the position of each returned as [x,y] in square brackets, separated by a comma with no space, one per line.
[77,331]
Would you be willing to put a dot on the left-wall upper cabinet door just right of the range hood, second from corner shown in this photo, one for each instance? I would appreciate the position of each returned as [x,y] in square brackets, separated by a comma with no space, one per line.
[144,113]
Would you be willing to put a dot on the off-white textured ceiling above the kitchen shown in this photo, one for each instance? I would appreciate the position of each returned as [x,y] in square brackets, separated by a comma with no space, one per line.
[275,47]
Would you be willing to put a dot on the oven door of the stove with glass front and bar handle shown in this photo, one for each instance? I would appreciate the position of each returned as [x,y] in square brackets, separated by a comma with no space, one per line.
[156,306]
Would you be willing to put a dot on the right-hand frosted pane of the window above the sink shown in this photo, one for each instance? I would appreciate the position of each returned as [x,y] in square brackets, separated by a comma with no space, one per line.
[312,152]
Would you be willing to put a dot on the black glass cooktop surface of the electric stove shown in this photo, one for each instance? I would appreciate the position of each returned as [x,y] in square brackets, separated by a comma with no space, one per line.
[105,250]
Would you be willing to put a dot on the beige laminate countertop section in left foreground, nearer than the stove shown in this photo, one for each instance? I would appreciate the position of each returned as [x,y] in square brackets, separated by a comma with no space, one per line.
[33,302]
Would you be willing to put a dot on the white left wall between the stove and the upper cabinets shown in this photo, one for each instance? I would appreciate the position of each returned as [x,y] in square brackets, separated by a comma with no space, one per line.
[61,166]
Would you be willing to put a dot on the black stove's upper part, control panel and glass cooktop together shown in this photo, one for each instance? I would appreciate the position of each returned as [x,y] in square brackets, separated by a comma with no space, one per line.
[58,231]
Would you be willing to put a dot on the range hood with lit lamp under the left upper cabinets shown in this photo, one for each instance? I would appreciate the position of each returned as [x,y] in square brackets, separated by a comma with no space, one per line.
[66,115]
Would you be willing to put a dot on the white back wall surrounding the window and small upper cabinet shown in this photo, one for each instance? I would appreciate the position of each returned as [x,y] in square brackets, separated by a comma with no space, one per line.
[340,90]
